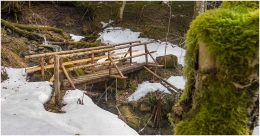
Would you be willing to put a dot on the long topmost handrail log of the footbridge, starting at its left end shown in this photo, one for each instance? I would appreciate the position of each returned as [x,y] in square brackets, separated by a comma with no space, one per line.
[77,50]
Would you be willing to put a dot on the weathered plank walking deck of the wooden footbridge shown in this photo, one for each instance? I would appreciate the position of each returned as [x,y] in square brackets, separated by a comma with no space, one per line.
[104,74]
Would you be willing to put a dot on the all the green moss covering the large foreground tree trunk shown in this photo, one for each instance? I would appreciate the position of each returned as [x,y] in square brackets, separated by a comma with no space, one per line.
[231,35]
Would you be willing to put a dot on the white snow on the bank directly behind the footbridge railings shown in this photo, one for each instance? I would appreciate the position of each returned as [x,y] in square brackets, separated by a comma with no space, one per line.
[113,35]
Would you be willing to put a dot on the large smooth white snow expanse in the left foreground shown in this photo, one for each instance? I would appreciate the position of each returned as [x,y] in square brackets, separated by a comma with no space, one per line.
[23,112]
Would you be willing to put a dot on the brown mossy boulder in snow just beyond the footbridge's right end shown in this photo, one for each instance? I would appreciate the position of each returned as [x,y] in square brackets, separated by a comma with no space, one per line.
[171,61]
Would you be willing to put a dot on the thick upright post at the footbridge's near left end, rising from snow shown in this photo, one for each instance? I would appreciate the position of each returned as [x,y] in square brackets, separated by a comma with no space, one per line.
[56,79]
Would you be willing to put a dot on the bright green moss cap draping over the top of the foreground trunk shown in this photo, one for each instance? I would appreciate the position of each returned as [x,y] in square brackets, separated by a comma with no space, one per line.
[231,35]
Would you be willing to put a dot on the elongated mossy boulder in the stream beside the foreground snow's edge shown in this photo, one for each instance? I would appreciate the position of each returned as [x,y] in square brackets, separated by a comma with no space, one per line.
[127,115]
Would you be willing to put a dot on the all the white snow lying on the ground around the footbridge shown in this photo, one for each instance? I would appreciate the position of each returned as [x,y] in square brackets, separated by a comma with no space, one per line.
[22,111]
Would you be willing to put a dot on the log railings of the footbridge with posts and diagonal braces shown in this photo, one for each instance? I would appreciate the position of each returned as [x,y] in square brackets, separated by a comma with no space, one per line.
[59,64]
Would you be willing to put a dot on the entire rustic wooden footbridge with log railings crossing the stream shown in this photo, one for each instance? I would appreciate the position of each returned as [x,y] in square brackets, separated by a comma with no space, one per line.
[115,66]
